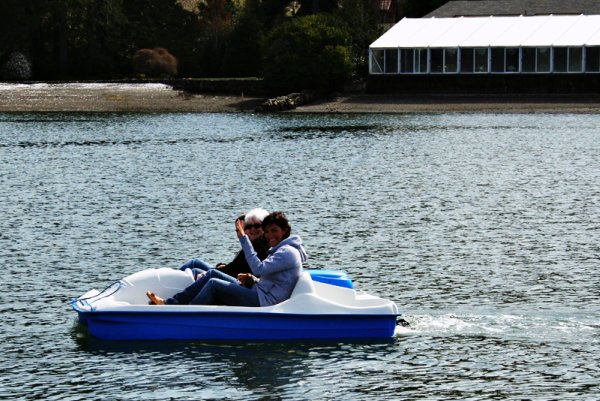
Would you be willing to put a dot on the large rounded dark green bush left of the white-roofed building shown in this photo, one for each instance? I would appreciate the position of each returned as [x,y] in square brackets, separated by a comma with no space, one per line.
[311,52]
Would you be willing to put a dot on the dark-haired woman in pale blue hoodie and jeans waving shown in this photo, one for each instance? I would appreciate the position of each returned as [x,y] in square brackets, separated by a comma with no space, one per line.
[278,273]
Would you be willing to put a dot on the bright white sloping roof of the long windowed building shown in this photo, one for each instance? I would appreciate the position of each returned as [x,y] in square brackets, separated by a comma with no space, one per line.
[538,31]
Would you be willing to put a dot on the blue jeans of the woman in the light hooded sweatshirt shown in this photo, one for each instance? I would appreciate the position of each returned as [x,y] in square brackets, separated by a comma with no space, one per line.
[216,287]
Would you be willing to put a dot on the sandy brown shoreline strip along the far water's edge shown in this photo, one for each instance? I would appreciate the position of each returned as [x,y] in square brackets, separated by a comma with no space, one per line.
[162,98]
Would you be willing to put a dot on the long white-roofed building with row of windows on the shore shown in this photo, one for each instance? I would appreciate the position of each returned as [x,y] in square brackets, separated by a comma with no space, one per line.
[541,44]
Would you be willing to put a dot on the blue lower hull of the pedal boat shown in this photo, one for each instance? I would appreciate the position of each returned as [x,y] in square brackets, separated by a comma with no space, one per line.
[235,326]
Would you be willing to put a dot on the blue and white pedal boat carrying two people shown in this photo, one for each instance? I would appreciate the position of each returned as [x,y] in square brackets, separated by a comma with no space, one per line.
[323,305]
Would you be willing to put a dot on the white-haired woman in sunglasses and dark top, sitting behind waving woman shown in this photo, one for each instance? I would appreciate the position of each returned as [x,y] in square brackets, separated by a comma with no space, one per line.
[253,227]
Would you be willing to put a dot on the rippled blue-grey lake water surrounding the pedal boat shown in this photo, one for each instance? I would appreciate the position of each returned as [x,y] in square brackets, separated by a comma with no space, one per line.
[484,229]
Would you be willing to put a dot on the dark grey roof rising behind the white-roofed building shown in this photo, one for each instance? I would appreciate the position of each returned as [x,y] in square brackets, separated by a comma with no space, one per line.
[516,7]
